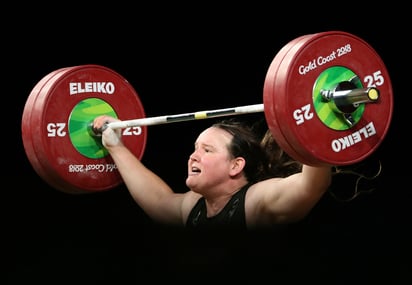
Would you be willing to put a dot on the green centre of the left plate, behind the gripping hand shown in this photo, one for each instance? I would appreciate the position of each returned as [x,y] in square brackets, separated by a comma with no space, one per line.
[80,119]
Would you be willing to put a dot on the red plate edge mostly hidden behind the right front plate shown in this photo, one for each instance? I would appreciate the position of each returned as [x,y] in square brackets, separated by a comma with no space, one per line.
[271,104]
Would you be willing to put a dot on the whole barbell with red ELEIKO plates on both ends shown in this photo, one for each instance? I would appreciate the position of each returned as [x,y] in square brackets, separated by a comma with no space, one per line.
[327,100]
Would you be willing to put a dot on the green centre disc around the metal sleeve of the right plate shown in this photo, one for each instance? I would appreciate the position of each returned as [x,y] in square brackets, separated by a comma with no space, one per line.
[328,80]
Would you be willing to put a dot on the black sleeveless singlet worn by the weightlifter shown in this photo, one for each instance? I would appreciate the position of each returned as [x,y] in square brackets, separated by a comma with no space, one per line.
[232,215]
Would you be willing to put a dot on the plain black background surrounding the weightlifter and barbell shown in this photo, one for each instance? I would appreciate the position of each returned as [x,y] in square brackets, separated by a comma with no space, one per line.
[184,59]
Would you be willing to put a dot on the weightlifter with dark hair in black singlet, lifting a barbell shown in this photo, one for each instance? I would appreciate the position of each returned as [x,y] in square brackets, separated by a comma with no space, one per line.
[235,179]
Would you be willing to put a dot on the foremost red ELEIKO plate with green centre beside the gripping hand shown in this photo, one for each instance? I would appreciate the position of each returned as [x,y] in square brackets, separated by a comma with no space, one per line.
[72,158]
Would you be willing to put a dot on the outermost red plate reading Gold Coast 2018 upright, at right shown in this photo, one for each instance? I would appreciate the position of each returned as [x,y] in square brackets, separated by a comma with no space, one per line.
[295,91]
